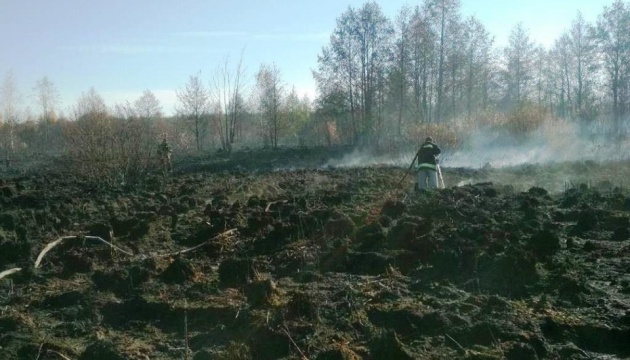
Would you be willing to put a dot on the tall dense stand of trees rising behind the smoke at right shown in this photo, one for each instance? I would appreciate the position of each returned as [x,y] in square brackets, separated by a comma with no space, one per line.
[380,77]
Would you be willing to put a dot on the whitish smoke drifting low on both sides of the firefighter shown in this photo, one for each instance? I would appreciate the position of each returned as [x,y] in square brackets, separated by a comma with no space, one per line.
[555,141]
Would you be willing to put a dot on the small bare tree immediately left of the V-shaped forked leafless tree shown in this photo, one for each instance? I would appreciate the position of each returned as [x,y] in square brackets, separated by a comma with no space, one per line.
[194,108]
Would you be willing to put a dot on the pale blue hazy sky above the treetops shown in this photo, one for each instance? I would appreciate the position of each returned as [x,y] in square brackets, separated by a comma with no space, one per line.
[122,47]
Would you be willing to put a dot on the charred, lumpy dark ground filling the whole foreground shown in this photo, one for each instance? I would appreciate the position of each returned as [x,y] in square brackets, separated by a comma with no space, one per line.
[318,264]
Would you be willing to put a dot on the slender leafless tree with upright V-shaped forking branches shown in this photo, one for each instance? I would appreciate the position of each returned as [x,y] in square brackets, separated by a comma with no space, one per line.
[226,91]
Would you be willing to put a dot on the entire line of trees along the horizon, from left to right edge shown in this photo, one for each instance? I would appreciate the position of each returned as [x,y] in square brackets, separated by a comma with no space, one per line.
[380,81]
